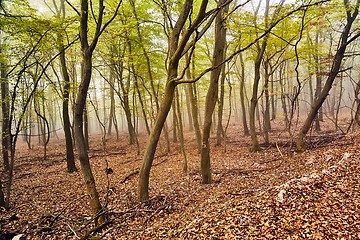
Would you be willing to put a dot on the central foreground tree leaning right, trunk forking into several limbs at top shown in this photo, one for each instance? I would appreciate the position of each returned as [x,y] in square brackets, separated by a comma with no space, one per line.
[177,48]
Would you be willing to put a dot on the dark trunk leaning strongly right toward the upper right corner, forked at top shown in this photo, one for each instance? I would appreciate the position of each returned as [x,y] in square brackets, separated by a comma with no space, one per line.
[335,68]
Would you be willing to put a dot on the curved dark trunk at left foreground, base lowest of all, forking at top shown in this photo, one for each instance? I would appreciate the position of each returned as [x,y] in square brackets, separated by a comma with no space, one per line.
[87,49]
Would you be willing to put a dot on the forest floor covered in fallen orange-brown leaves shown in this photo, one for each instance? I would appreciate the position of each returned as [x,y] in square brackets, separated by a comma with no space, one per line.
[271,194]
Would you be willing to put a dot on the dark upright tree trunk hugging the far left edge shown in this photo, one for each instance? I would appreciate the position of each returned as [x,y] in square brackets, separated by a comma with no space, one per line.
[5,107]
